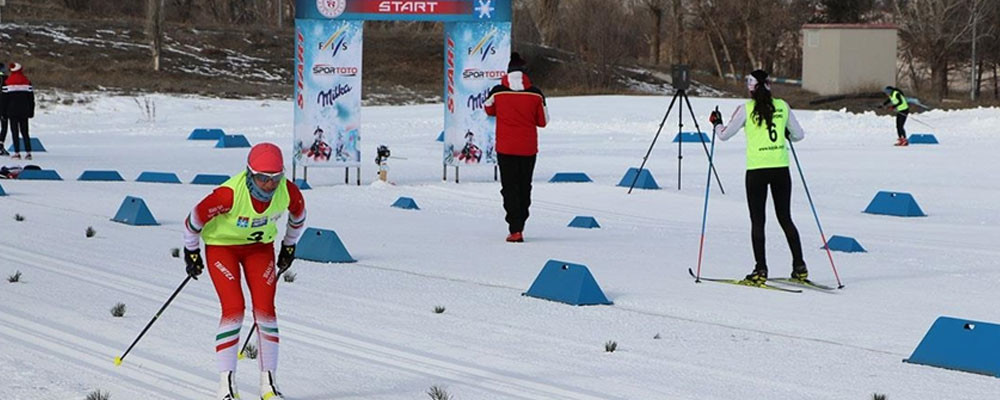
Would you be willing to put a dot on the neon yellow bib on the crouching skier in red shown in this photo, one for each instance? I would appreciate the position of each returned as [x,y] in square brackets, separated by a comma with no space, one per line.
[242,224]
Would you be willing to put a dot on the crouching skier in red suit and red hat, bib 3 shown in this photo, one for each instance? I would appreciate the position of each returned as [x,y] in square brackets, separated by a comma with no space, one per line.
[238,221]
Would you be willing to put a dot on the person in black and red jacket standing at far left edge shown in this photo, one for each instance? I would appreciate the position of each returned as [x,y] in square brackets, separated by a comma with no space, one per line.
[17,104]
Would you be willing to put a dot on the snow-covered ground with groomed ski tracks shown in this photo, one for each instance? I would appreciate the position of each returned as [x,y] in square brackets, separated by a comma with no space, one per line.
[367,330]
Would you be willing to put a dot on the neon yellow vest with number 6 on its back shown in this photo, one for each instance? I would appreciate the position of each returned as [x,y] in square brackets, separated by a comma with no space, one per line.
[766,148]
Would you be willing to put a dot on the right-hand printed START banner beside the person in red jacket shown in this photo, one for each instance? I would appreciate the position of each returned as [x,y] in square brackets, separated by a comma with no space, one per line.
[476,57]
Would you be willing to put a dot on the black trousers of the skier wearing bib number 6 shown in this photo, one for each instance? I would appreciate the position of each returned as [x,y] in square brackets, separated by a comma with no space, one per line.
[780,181]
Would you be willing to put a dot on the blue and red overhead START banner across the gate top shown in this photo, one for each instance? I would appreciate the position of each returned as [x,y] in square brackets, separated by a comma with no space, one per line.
[406,10]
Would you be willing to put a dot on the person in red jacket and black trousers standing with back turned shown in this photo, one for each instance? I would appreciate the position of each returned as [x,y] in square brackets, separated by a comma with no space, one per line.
[520,110]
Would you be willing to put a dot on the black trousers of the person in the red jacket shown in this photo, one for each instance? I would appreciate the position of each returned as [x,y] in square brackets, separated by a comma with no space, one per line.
[515,182]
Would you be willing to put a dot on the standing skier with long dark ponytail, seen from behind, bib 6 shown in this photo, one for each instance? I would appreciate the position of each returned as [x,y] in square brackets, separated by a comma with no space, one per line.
[765,120]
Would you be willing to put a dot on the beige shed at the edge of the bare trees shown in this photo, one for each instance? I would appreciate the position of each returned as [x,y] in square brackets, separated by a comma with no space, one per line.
[848,58]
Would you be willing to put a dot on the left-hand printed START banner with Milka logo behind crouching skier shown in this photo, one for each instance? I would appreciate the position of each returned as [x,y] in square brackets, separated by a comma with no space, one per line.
[328,93]
